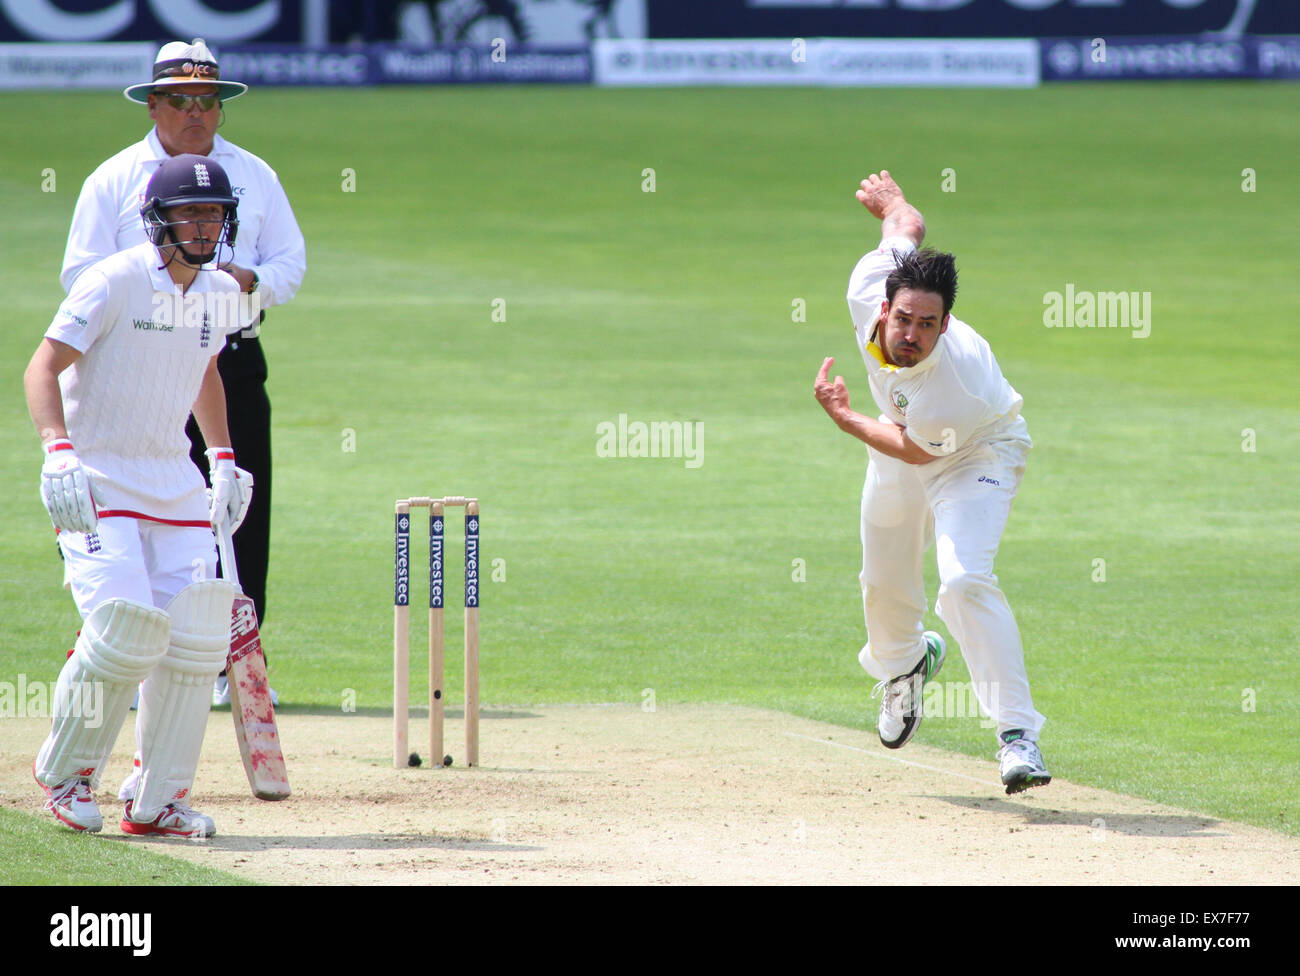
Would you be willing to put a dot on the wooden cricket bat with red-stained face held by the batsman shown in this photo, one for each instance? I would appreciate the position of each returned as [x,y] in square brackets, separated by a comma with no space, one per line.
[250,695]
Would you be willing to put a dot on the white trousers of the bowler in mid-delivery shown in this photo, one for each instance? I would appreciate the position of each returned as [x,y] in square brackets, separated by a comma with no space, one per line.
[963,506]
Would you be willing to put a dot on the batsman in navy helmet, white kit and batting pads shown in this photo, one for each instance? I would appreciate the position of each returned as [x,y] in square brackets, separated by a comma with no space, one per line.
[132,352]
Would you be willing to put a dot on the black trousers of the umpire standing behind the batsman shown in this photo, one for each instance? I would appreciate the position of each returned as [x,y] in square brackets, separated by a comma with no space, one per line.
[244,374]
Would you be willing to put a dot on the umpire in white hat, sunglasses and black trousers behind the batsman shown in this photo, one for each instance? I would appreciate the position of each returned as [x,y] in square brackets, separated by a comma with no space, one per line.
[187,103]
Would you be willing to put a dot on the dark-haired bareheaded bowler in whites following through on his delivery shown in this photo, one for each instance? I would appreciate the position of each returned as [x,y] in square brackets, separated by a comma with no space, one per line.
[946,459]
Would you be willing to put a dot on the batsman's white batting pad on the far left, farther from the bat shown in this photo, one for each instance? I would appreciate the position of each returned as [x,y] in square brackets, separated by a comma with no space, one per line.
[120,644]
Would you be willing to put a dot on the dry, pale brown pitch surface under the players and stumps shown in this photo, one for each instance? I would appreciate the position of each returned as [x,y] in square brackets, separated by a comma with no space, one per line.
[690,795]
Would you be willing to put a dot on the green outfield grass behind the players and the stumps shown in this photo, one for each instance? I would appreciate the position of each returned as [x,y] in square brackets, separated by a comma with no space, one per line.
[1176,679]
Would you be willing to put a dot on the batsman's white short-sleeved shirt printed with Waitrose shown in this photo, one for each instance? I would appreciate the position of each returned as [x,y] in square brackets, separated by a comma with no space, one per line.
[145,348]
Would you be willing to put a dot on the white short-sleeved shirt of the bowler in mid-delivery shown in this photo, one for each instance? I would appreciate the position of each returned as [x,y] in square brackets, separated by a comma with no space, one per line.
[955,398]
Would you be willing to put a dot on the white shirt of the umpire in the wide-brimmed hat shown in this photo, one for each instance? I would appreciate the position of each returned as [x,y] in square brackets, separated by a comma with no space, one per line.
[109,216]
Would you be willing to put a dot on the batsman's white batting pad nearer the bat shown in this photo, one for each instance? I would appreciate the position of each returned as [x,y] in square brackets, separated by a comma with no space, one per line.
[176,699]
